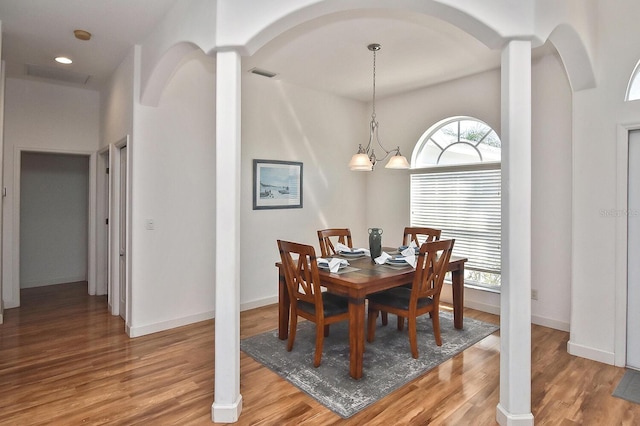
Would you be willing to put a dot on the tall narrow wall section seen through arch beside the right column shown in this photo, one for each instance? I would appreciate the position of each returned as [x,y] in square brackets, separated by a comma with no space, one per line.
[551,193]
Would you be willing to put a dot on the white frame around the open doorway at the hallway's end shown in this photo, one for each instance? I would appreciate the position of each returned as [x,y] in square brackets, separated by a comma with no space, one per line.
[15,246]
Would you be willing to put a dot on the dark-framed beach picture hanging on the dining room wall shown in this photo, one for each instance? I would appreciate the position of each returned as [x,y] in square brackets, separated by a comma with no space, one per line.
[277,184]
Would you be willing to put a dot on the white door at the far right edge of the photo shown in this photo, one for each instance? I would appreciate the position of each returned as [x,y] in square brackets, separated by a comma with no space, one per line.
[633,244]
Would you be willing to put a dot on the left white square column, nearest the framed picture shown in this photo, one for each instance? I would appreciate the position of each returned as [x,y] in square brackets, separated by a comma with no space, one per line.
[227,403]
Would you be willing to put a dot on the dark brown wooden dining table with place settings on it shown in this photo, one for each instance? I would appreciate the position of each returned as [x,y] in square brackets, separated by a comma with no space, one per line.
[361,278]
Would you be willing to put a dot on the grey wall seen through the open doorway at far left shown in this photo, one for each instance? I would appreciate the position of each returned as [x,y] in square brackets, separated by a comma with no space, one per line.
[54,219]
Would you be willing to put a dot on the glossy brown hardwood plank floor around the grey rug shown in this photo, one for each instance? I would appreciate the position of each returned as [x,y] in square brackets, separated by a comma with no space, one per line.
[65,360]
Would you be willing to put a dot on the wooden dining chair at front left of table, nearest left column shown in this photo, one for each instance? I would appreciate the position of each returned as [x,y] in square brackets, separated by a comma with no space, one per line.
[307,299]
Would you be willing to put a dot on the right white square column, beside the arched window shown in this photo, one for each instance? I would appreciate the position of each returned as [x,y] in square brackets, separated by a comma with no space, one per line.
[515,303]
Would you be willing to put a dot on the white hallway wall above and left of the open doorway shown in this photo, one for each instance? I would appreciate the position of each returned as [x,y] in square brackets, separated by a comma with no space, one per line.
[44,117]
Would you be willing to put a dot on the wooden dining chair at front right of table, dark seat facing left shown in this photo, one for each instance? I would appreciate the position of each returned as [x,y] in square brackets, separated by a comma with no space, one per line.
[423,296]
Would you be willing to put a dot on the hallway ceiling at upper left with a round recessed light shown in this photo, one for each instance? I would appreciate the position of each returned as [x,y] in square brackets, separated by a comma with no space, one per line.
[36,31]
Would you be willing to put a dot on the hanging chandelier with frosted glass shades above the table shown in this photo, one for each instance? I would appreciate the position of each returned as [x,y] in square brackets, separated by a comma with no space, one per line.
[365,158]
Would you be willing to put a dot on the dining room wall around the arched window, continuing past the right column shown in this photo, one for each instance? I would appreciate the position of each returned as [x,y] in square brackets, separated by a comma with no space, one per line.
[405,117]
